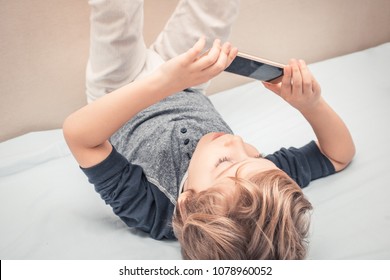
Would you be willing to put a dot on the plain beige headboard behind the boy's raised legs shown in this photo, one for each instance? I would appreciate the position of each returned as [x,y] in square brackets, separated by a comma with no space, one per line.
[44,47]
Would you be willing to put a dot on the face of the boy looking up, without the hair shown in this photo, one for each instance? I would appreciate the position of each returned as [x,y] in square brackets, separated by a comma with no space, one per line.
[218,156]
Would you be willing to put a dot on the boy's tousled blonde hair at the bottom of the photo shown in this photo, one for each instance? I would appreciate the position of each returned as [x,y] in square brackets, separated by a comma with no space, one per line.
[264,217]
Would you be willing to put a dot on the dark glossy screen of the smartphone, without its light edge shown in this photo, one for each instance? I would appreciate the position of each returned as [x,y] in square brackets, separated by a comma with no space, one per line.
[254,69]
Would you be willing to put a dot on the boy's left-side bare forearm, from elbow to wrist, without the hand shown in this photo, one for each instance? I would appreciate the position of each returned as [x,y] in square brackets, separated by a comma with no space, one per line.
[95,123]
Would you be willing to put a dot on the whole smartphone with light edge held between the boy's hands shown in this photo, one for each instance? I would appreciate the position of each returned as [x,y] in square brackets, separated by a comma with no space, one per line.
[256,68]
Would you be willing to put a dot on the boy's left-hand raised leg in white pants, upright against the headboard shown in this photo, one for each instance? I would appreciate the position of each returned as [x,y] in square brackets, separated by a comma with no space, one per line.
[117,50]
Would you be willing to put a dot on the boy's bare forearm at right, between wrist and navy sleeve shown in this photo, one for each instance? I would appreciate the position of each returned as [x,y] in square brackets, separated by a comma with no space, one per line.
[334,138]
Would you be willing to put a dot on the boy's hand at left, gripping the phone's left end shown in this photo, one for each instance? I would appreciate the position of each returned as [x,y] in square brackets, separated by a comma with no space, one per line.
[192,67]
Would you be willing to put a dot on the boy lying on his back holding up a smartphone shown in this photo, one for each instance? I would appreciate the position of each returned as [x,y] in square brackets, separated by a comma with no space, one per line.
[159,153]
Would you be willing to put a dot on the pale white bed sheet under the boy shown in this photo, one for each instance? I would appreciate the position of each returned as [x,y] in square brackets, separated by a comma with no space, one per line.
[48,210]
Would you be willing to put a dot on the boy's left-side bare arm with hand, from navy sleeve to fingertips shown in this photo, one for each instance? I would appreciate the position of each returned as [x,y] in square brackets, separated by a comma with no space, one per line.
[87,130]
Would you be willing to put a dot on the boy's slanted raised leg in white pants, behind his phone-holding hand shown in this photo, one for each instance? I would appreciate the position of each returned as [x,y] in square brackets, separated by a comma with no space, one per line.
[193,19]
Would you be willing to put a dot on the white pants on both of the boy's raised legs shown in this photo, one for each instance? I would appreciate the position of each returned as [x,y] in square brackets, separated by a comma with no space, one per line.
[118,54]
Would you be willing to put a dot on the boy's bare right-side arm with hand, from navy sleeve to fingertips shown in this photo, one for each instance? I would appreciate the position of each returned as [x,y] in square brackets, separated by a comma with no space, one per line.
[300,89]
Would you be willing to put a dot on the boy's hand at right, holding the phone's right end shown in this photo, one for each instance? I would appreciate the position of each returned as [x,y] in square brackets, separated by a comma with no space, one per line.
[298,87]
